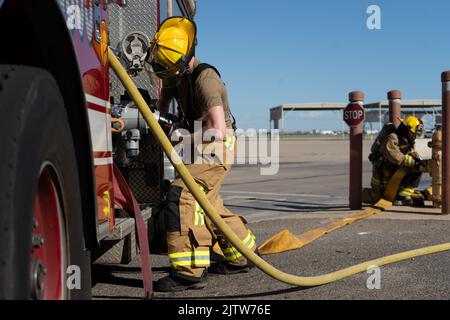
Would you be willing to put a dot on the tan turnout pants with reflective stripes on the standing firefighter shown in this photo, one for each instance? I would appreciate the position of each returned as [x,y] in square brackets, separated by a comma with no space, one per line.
[191,234]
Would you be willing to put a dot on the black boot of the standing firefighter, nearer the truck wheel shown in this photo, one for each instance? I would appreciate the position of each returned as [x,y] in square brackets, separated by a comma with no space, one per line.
[176,282]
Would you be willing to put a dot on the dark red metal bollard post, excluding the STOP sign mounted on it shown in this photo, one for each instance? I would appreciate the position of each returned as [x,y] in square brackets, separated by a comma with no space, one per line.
[356,156]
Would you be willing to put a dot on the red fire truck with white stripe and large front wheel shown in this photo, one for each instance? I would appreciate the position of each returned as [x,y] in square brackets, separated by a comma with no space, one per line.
[70,133]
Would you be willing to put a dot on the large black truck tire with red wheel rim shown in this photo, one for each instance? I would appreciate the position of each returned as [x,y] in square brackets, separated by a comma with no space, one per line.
[42,251]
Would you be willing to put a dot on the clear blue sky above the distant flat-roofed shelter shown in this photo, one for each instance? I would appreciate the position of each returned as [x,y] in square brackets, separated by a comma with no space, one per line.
[291,51]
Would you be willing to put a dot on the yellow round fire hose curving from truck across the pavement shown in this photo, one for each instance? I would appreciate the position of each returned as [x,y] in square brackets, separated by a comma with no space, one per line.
[223,227]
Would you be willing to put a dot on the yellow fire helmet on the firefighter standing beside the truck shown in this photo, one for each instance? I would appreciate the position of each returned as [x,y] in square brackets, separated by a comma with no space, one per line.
[172,47]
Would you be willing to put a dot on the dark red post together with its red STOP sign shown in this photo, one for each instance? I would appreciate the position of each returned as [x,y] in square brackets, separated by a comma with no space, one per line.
[354,116]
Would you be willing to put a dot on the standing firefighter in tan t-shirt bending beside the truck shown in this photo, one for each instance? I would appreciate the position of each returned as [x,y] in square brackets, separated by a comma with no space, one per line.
[202,96]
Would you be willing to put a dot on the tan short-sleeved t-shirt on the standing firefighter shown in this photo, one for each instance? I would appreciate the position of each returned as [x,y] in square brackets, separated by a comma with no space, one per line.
[210,91]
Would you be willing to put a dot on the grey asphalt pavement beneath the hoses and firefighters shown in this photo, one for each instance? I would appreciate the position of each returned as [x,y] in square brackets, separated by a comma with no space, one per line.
[310,191]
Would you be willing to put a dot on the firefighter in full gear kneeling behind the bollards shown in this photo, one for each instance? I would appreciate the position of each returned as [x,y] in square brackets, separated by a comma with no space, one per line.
[393,148]
